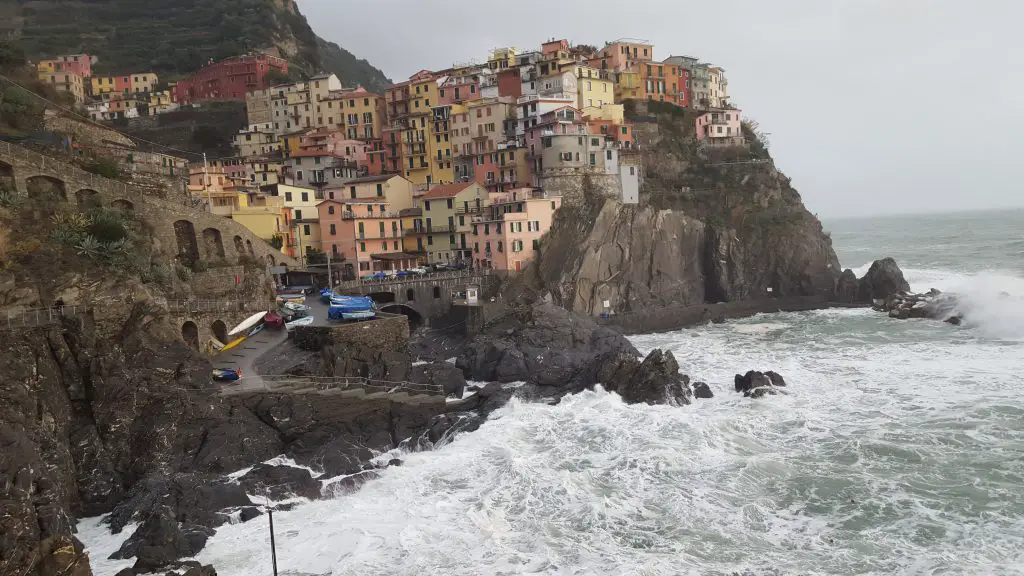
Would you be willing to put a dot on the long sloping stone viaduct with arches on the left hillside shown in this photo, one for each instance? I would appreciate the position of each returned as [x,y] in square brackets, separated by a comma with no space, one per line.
[192,234]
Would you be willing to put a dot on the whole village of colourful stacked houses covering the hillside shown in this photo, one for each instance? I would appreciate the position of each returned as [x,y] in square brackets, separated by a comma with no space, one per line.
[461,168]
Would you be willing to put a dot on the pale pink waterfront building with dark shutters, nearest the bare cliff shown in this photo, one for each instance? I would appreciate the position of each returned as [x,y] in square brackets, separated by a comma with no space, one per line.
[508,234]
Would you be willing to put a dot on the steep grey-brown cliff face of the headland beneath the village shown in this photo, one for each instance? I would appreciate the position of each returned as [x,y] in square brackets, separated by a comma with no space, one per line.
[705,232]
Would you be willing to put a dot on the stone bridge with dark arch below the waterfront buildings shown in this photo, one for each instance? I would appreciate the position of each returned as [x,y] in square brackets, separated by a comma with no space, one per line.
[422,299]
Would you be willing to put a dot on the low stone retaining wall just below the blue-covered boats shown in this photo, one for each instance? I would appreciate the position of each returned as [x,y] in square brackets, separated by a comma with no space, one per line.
[389,333]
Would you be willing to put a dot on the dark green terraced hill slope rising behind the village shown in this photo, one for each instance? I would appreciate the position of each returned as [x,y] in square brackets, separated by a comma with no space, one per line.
[177,37]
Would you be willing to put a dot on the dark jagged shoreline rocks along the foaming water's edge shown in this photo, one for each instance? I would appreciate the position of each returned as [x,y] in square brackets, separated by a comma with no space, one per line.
[162,449]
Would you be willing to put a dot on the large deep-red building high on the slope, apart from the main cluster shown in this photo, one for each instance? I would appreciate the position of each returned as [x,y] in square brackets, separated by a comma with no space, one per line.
[229,79]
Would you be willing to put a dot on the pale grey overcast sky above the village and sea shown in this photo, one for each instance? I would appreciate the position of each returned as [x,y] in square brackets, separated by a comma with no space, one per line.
[873,106]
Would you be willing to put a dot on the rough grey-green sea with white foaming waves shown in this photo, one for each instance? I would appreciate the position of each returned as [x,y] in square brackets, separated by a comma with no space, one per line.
[899,448]
